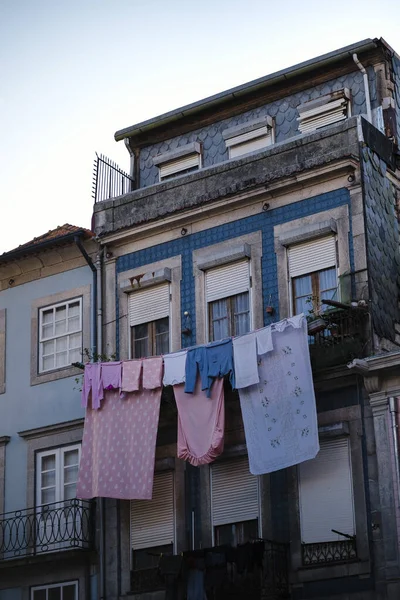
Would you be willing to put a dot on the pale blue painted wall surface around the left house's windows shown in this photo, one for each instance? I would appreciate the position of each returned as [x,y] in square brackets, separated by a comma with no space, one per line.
[25,406]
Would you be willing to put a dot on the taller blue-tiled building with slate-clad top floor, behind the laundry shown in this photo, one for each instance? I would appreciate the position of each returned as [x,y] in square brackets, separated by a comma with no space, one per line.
[267,200]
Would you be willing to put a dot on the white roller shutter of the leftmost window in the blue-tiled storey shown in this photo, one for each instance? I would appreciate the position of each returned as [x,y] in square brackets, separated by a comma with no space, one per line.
[149,304]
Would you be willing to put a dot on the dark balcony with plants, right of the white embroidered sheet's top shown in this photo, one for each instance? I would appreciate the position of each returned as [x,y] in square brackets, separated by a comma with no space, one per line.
[342,336]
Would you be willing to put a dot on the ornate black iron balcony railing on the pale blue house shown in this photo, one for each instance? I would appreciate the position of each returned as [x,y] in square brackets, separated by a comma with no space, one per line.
[48,528]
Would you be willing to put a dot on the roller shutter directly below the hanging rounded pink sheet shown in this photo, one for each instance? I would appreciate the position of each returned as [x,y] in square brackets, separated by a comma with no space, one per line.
[234,492]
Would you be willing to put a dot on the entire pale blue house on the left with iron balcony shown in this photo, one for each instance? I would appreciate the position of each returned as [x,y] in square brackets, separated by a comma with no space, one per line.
[46,535]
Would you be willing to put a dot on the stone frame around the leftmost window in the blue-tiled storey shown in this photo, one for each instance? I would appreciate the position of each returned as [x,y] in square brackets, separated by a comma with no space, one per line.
[148,275]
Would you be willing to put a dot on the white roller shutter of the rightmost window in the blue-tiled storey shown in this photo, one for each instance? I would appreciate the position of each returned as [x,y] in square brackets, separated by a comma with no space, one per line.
[312,256]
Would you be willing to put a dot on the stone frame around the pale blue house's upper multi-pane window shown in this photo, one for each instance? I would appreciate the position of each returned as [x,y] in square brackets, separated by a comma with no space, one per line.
[83,292]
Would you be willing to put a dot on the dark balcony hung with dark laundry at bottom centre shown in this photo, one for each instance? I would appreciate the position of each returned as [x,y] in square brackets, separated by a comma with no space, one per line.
[230,578]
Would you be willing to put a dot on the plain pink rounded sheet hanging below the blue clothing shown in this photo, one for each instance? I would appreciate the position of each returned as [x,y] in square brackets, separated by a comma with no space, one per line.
[201,423]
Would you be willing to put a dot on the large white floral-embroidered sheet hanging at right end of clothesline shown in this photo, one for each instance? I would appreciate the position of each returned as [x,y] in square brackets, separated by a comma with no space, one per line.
[279,414]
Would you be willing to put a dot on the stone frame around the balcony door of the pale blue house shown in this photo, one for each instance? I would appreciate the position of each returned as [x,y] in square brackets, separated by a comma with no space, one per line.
[47,438]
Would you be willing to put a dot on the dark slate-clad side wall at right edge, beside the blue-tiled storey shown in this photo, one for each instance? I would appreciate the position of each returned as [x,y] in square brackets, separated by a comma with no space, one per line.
[382,245]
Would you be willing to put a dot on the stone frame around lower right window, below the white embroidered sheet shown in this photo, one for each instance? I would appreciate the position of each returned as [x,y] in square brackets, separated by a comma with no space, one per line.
[342,422]
